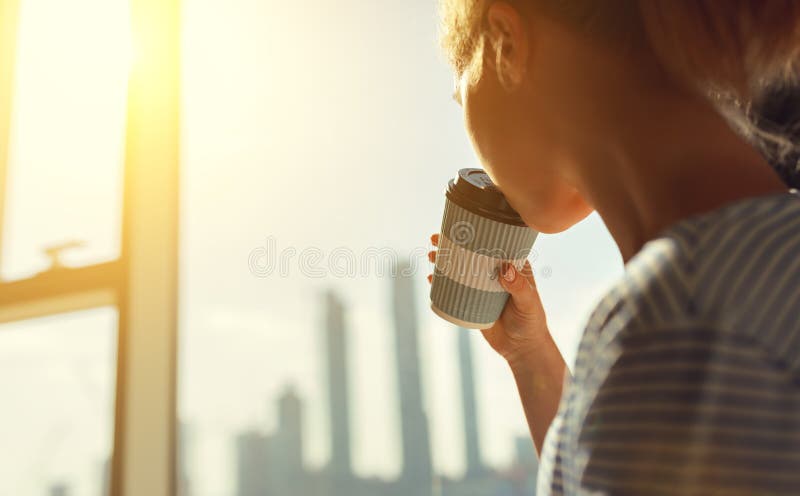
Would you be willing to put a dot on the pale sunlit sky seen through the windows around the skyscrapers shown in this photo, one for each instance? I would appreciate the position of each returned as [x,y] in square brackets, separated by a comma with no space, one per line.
[325,126]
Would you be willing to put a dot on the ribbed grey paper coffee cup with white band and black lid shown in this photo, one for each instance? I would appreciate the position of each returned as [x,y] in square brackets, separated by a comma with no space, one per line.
[479,232]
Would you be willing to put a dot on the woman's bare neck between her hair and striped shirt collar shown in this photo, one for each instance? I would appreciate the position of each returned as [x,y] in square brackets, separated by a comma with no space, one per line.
[667,160]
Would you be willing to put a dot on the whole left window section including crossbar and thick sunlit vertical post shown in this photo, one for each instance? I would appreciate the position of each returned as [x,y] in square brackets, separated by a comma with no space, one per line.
[68,80]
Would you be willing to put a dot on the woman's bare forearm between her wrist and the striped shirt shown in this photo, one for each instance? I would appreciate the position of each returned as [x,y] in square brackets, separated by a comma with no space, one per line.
[540,379]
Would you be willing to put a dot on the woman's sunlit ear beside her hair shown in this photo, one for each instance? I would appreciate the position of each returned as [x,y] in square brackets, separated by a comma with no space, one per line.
[506,47]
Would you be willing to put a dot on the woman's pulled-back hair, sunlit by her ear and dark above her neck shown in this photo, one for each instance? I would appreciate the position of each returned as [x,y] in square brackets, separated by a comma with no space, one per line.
[734,51]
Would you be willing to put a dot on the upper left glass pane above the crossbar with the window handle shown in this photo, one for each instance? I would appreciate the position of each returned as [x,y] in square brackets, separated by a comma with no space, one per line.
[66,141]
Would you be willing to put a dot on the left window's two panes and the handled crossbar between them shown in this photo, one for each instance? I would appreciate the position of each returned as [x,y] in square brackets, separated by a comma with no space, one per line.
[61,99]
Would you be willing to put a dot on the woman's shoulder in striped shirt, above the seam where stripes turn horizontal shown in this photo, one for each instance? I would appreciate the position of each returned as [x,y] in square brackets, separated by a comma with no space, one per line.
[735,271]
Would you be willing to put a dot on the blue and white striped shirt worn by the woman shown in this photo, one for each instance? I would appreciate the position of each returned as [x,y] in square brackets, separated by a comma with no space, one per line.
[687,378]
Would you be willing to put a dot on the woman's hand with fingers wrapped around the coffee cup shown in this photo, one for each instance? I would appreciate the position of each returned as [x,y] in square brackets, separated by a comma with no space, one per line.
[521,331]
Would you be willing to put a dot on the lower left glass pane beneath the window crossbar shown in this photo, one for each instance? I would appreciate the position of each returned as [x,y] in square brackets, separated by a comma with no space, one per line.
[57,378]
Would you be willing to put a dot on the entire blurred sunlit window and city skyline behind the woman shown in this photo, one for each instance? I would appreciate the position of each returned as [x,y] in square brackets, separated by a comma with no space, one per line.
[314,141]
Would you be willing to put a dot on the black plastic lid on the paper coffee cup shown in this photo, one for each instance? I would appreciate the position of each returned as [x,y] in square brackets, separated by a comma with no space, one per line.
[473,190]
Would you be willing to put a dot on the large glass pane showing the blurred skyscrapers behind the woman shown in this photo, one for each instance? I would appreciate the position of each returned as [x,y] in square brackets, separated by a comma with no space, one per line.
[319,134]
